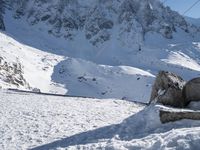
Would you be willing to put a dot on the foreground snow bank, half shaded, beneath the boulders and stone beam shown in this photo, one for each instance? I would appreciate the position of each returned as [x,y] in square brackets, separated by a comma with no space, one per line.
[144,130]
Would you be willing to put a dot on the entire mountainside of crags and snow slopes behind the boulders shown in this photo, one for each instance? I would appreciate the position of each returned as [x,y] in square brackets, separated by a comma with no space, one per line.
[98,48]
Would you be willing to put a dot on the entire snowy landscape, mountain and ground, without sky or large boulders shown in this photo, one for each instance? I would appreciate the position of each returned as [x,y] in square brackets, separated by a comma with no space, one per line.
[110,50]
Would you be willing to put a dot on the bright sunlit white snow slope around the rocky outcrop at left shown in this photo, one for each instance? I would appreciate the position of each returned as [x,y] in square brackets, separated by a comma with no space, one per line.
[37,66]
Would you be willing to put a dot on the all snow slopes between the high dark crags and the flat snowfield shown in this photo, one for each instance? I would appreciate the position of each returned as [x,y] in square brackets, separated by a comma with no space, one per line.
[111,70]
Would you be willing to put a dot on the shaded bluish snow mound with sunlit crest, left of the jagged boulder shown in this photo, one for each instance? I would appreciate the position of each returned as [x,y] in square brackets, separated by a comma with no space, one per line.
[102,81]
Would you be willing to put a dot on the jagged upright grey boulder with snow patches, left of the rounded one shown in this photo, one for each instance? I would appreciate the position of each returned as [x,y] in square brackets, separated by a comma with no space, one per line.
[167,90]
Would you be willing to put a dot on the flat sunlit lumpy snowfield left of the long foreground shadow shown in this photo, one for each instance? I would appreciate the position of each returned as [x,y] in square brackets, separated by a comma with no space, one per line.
[29,120]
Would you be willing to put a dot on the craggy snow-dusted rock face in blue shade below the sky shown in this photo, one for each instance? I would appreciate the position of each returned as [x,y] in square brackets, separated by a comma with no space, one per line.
[96,20]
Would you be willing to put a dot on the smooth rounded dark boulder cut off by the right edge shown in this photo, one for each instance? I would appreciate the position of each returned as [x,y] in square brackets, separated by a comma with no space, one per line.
[191,90]
